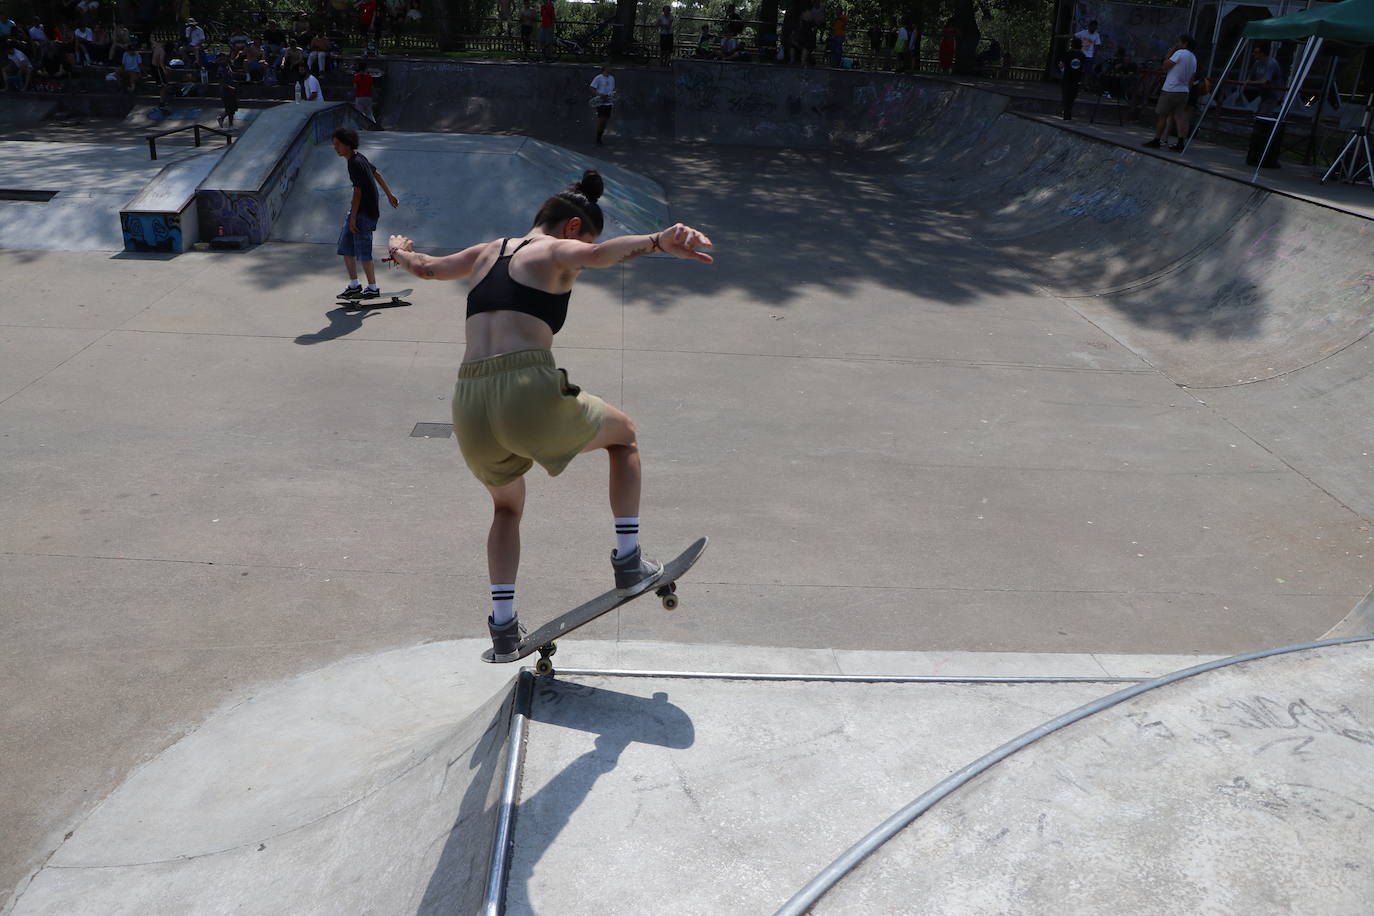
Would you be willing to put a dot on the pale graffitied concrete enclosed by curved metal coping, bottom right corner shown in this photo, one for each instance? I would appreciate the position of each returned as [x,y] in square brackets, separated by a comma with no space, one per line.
[1244,789]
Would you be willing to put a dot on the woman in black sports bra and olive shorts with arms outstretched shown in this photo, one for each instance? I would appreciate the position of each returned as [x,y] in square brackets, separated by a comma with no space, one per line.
[513,407]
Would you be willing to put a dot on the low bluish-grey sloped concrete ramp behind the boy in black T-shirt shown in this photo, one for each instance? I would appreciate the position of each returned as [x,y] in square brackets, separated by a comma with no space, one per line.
[457,190]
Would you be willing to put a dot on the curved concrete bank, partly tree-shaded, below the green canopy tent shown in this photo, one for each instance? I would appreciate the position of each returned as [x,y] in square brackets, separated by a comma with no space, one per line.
[1214,282]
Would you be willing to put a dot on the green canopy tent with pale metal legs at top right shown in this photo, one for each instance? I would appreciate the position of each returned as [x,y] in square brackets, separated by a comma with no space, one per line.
[1349,23]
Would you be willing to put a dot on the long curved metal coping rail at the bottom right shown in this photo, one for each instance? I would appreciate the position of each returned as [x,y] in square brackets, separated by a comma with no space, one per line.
[809,896]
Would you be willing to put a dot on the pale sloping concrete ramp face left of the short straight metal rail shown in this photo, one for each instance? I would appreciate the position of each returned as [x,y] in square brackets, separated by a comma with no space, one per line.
[369,786]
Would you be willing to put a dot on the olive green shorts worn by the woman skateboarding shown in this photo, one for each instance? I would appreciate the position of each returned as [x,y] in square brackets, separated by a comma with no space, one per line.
[519,409]
